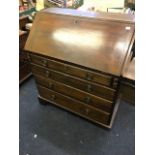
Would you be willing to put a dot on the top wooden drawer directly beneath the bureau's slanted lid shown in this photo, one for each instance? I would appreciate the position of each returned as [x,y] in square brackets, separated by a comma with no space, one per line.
[106,80]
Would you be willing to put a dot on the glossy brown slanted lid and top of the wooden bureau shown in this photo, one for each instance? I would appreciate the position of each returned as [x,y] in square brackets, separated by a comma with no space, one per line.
[97,41]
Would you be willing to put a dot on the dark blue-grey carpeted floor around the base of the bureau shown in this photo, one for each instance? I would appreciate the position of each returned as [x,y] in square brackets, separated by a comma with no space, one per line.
[48,130]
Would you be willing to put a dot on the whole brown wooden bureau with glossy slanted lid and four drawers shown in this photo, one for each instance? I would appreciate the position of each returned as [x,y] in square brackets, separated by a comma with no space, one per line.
[77,59]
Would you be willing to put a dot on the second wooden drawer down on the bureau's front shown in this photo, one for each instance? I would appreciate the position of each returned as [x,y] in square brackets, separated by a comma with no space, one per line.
[95,89]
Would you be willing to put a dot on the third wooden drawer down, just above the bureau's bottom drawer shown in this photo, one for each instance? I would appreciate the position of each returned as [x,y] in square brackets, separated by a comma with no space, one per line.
[82,96]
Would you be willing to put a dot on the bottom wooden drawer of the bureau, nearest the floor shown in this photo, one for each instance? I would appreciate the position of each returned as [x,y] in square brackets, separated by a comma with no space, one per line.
[74,105]
